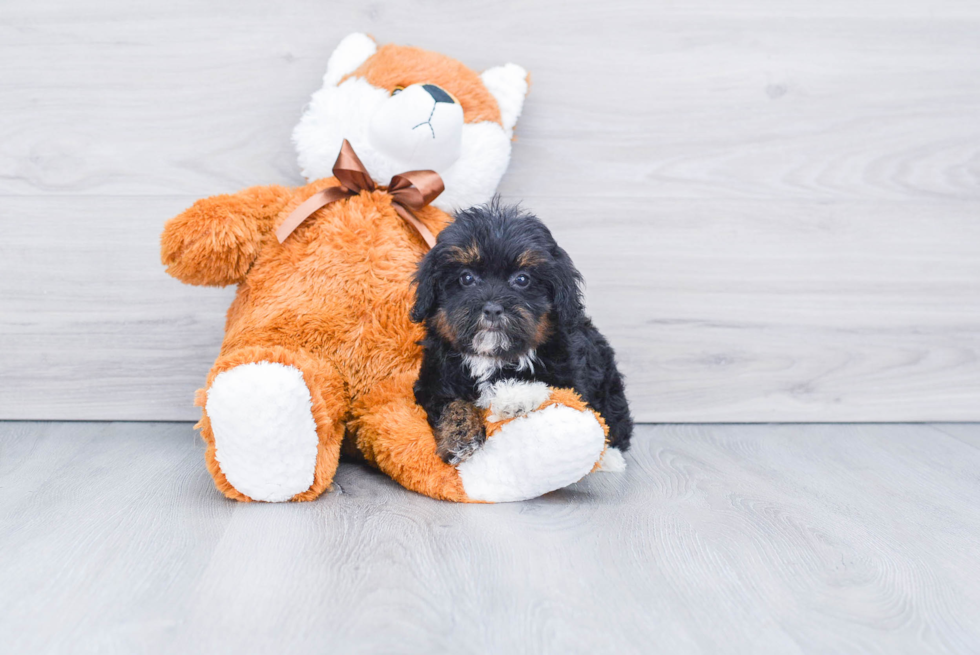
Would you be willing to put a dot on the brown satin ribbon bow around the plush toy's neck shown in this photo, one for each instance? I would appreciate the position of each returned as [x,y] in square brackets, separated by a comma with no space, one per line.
[409,192]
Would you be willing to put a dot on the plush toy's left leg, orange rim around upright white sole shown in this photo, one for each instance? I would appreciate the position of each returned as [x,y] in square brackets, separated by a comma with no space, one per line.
[273,423]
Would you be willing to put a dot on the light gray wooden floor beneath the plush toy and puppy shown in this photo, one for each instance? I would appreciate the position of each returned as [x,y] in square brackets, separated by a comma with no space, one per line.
[723,538]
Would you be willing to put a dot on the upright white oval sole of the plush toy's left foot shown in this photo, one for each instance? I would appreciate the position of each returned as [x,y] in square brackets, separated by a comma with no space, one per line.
[264,432]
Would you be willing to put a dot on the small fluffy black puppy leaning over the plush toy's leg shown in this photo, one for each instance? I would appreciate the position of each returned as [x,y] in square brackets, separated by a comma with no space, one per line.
[502,301]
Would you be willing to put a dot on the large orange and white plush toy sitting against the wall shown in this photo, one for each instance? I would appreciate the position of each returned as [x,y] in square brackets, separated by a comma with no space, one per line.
[319,354]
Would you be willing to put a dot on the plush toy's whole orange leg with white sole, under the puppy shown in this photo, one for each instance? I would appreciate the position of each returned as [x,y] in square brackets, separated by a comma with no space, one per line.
[540,440]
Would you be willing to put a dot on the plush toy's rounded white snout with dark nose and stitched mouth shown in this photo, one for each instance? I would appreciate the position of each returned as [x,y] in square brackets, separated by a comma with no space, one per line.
[419,127]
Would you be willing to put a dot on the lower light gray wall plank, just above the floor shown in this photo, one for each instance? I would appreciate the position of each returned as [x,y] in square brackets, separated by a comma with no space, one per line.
[855,320]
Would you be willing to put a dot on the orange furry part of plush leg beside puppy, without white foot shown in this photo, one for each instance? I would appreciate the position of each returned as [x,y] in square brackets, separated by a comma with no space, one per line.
[393,434]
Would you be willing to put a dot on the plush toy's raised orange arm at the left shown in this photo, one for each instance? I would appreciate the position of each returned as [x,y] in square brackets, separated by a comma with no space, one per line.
[215,241]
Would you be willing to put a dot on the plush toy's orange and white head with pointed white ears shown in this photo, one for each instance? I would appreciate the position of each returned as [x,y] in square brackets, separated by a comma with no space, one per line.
[406,109]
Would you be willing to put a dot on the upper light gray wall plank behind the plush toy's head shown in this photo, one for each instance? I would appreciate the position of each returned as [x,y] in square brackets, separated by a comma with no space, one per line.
[712,100]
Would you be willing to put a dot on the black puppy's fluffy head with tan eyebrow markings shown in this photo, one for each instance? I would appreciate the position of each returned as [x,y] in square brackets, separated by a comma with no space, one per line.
[496,284]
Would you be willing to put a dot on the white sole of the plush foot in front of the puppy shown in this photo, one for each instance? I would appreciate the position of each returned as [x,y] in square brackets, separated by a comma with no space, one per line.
[530,456]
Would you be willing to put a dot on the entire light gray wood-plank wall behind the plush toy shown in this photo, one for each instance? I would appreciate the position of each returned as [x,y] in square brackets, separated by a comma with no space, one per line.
[774,205]
